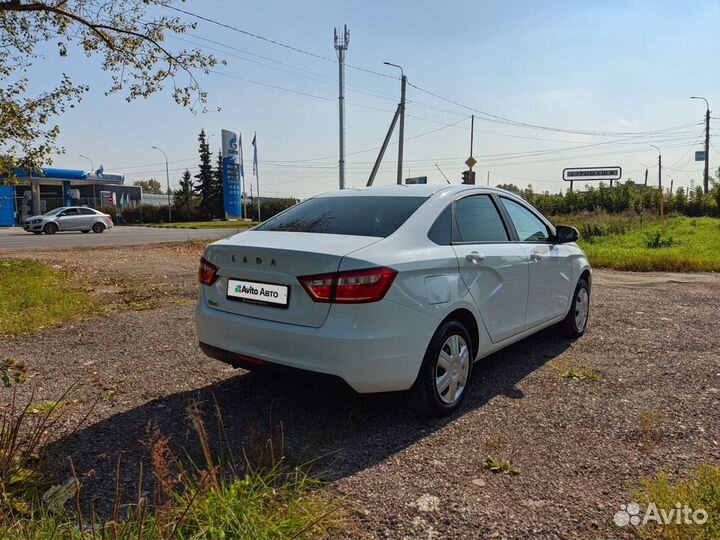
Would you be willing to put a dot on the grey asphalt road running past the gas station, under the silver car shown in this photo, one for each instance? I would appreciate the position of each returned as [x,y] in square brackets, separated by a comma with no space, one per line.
[16,239]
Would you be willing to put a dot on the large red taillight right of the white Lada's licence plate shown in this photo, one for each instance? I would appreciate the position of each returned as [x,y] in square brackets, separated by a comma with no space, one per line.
[352,287]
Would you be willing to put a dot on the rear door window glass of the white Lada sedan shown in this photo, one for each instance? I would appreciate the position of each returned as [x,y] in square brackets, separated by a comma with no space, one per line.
[478,220]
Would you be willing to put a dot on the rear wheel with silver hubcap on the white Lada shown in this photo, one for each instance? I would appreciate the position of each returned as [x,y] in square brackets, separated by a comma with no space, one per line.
[442,382]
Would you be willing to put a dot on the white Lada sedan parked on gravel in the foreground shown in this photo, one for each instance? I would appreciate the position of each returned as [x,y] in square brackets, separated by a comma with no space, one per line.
[392,288]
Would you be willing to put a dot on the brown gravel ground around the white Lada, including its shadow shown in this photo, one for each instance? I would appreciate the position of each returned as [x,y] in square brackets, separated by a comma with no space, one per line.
[580,445]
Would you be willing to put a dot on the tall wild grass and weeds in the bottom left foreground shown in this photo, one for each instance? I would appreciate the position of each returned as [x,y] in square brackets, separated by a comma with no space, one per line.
[192,499]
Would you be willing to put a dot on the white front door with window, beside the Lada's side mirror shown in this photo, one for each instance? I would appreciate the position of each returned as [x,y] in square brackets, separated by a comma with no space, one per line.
[550,264]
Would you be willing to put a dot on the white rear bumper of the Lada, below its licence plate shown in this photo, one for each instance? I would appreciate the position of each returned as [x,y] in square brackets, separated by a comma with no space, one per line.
[375,347]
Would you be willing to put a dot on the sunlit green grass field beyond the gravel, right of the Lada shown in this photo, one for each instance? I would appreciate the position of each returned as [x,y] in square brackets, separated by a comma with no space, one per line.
[678,244]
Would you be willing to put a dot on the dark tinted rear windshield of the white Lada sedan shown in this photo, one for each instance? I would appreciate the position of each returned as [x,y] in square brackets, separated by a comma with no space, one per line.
[357,216]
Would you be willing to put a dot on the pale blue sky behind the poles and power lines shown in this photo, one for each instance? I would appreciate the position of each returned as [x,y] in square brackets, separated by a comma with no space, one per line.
[611,66]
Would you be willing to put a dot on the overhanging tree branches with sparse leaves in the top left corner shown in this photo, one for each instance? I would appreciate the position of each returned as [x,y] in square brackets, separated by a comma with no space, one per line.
[127,36]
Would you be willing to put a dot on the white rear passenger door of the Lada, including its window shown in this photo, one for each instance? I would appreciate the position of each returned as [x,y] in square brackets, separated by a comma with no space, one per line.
[494,269]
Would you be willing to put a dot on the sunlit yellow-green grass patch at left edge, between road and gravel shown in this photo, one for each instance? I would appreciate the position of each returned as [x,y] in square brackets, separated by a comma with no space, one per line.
[34,296]
